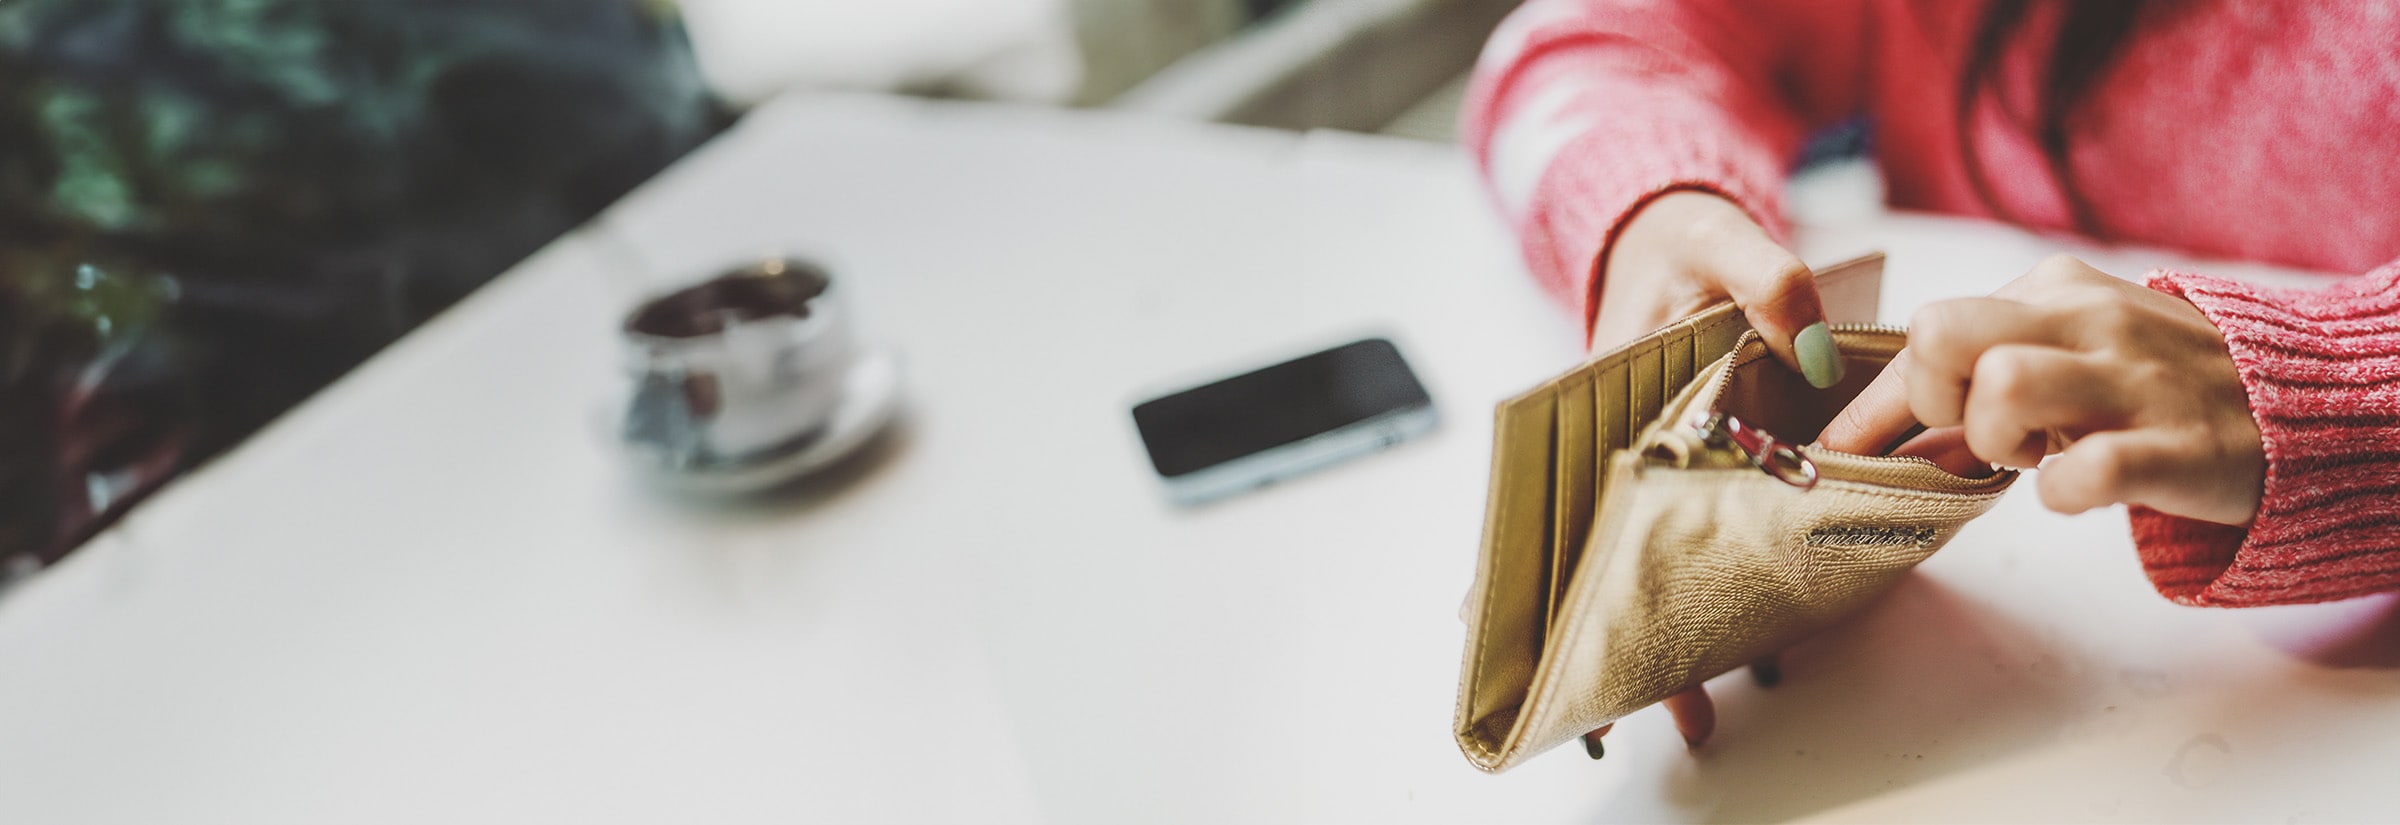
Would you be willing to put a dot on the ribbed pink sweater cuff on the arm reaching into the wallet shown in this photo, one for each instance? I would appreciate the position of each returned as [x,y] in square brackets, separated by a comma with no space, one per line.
[2324,383]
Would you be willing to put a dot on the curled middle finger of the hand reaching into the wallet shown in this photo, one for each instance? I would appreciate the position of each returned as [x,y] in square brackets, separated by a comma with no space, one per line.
[2022,395]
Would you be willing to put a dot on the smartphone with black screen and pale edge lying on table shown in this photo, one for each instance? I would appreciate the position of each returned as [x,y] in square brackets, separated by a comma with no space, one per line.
[1283,421]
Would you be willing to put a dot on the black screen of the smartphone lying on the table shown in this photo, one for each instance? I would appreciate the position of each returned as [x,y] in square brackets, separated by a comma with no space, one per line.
[1266,409]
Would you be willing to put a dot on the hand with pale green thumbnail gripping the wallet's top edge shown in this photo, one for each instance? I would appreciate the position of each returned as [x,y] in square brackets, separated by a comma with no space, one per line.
[1691,251]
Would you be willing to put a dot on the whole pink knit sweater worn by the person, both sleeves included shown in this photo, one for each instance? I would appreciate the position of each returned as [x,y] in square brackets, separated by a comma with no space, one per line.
[2238,128]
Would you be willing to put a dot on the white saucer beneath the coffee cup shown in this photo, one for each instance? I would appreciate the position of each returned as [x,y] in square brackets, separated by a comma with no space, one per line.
[870,399]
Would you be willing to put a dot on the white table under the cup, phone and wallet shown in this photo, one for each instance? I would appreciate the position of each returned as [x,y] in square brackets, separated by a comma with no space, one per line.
[431,596]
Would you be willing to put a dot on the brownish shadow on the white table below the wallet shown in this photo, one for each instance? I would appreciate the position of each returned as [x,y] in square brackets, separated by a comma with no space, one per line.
[1924,685]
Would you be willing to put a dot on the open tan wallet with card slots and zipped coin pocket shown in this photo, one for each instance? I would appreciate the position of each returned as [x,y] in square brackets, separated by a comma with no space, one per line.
[1657,519]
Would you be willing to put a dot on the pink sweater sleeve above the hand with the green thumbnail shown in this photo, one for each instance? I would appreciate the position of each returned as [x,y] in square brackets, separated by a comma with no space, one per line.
[1588,109]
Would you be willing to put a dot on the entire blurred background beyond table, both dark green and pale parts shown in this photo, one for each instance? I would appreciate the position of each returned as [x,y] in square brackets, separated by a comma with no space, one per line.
[215,207]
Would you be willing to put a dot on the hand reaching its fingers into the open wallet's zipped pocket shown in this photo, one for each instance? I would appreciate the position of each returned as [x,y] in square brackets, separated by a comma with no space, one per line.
[2128,387]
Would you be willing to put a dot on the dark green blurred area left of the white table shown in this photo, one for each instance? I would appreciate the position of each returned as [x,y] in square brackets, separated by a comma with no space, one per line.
[212,207]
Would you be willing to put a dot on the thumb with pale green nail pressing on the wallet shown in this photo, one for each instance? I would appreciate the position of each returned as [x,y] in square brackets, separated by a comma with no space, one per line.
[1780,296]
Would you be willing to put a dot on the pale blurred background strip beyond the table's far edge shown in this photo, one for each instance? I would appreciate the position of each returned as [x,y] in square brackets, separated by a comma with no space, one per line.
[1376,66]
